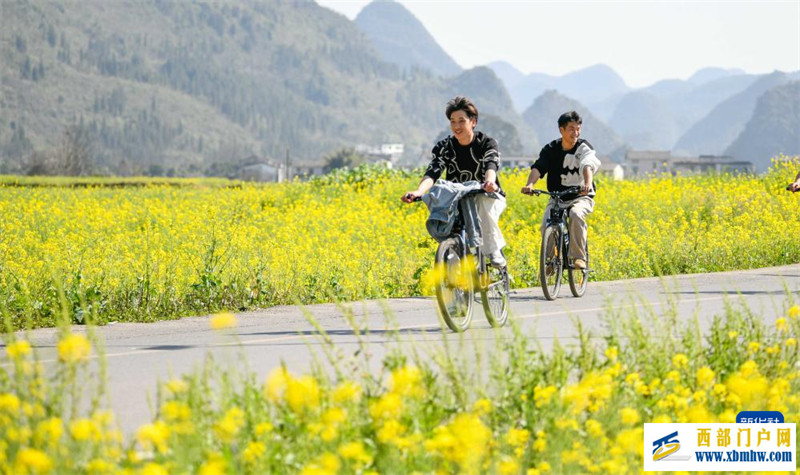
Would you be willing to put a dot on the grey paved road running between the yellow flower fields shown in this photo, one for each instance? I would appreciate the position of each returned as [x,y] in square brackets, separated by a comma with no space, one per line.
[139,355]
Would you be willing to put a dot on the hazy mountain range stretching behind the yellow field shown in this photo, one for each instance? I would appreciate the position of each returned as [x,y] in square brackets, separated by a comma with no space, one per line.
[188,88]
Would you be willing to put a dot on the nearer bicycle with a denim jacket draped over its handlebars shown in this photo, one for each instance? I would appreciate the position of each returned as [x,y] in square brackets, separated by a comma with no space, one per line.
[464,269]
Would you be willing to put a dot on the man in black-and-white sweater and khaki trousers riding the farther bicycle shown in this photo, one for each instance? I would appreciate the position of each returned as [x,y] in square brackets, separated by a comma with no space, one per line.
[567,162]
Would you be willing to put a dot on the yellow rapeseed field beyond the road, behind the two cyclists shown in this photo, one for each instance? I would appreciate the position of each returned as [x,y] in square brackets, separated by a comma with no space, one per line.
[149,250]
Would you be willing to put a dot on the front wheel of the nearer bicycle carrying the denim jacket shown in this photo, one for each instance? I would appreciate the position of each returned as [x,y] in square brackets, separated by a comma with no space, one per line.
[455,286]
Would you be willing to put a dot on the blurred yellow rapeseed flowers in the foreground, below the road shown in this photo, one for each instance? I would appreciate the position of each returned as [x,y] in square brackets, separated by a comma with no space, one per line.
[568,411]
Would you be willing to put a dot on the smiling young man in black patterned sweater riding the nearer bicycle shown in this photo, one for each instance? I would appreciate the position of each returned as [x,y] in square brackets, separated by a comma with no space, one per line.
[469,155]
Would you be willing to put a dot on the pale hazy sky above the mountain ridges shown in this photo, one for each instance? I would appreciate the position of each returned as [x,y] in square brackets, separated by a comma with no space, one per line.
[643,41]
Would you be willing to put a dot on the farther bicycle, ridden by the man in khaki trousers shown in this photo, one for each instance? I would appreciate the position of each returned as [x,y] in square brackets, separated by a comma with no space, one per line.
[555,249]
